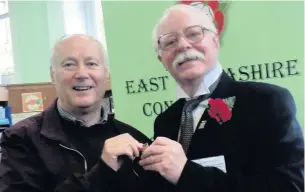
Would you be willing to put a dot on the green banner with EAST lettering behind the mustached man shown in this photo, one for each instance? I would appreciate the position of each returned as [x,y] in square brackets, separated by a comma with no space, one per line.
[260,41]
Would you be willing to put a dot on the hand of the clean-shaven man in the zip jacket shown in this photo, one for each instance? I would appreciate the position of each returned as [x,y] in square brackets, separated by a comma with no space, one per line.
[114,147]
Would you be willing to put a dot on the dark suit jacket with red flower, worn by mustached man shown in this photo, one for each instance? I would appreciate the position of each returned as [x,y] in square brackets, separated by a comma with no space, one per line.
[262,144]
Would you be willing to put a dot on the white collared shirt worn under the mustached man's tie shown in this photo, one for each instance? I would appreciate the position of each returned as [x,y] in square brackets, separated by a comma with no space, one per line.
[208,81]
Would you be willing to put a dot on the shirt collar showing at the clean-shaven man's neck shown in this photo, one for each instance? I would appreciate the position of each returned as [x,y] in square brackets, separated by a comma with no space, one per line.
[64,114]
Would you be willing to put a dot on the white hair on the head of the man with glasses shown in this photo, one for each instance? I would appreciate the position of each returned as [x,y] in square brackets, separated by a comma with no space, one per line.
[208,22]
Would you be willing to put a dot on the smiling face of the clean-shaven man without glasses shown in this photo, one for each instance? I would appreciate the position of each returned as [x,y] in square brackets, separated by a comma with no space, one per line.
[79,72]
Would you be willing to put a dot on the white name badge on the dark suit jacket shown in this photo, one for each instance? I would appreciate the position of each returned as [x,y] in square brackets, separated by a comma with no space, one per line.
[217,161]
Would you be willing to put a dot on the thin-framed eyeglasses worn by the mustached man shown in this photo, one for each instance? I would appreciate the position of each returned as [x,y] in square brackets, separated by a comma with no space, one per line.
[192,34]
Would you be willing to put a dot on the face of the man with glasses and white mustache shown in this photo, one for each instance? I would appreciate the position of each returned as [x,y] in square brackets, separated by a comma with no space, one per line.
[193,50]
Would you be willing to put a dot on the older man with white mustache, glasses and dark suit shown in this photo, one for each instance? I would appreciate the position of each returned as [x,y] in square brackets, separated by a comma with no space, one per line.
[221,135]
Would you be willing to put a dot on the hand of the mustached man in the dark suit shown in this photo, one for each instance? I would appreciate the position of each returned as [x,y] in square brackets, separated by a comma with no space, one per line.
[166,157]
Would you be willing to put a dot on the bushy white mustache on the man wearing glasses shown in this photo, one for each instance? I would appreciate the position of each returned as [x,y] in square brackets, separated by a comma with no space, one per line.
[187,55]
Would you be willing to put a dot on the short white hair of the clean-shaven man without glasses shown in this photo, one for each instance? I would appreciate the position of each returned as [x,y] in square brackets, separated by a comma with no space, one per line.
[55,47]
